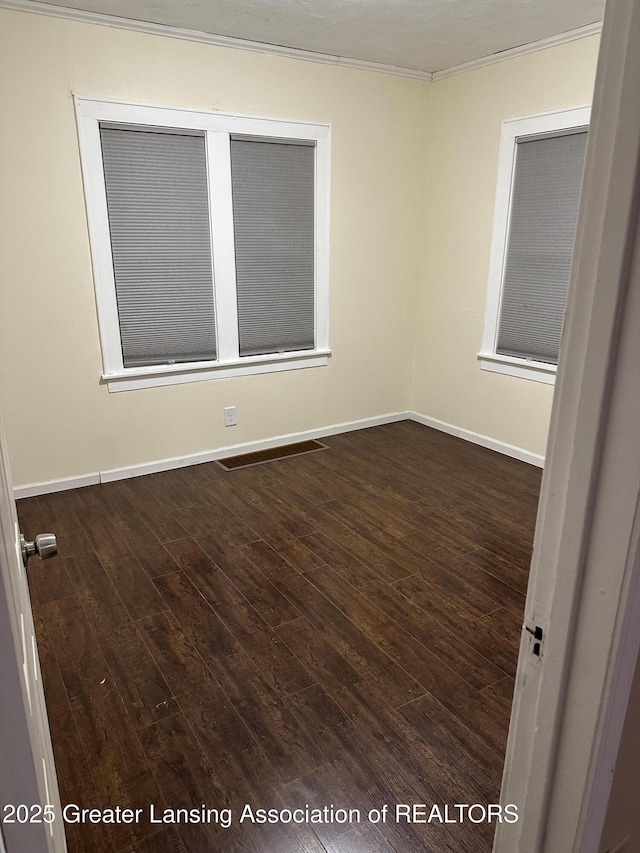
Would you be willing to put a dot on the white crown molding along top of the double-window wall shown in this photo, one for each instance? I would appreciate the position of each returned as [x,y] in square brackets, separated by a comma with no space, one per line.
[149,28]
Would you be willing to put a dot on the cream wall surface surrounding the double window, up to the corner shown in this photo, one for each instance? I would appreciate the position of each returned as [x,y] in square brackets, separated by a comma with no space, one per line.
[60,422]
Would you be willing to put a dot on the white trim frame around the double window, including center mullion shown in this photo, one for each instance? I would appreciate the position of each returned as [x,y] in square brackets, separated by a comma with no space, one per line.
[218,128]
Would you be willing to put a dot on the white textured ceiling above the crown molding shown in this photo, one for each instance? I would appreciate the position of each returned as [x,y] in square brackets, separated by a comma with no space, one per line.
[423,35]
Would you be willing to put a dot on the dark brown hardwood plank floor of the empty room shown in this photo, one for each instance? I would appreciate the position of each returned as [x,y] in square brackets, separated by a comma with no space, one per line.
[334,629]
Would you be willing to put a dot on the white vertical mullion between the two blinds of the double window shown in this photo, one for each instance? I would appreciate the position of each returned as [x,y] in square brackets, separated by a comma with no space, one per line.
[223,243]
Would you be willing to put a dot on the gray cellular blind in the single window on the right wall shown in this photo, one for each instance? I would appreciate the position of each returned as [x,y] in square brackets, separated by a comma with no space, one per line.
[544,212]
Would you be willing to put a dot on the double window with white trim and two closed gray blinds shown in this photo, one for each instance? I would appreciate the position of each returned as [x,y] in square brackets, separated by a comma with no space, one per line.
[209,236]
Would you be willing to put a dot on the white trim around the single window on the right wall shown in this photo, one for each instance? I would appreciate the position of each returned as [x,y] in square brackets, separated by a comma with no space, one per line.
[513,130]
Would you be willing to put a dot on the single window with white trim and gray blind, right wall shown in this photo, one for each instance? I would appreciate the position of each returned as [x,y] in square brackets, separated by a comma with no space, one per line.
[539,184]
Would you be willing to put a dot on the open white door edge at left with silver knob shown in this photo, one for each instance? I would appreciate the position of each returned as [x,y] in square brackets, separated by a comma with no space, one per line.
[30,819]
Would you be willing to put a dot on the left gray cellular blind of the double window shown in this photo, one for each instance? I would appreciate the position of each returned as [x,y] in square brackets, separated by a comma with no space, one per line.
[161,245]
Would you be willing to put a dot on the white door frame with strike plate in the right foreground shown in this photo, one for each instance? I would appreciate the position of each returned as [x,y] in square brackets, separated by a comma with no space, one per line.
[584,592]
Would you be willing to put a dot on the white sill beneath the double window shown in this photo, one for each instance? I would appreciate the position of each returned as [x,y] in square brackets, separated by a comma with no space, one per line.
[135,378]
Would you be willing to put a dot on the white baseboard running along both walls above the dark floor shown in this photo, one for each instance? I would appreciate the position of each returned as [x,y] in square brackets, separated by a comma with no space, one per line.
[48,486]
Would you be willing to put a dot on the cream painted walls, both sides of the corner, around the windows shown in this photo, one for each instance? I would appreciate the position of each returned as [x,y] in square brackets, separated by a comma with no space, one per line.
[413,187]
